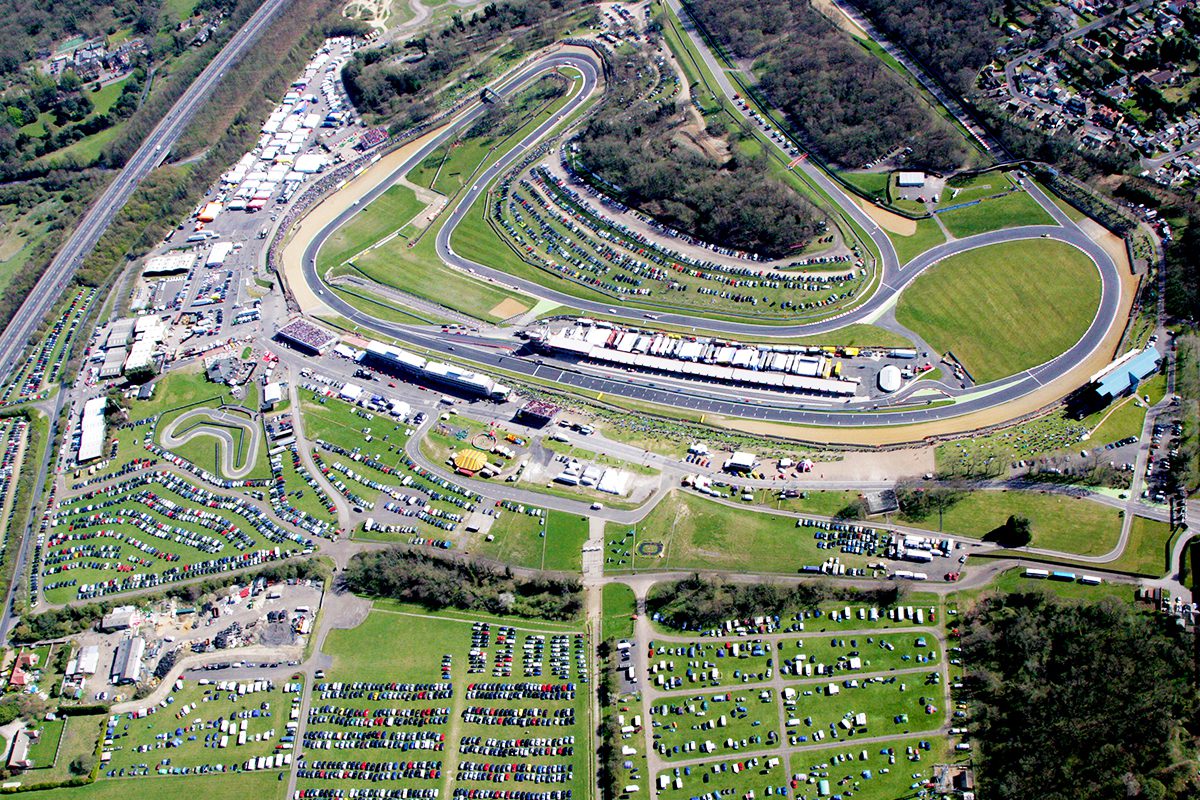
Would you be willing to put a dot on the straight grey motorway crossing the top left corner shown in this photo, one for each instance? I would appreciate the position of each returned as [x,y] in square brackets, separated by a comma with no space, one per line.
[101,213]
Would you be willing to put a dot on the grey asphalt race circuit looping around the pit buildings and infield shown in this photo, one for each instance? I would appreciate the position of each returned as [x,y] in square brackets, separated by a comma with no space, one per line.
[784,408]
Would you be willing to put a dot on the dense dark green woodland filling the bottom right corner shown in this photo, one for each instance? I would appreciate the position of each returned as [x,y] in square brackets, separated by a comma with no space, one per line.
[1081,701]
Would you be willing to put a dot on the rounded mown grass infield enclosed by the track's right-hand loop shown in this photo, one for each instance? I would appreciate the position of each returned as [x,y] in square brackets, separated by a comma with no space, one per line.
[982,305]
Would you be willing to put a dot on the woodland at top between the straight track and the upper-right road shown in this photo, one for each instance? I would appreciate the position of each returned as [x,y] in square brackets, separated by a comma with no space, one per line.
[844,101]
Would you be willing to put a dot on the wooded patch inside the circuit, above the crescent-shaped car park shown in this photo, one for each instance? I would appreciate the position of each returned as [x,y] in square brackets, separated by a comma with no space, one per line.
[641,153]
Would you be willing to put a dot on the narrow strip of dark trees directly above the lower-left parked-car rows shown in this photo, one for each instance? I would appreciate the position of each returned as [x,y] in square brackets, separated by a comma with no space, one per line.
[437,582]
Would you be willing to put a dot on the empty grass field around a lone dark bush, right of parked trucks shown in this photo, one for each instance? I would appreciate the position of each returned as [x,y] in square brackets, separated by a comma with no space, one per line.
[1060,522]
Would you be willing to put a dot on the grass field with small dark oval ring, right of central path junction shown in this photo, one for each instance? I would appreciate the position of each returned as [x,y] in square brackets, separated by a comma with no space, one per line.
[700,534]
